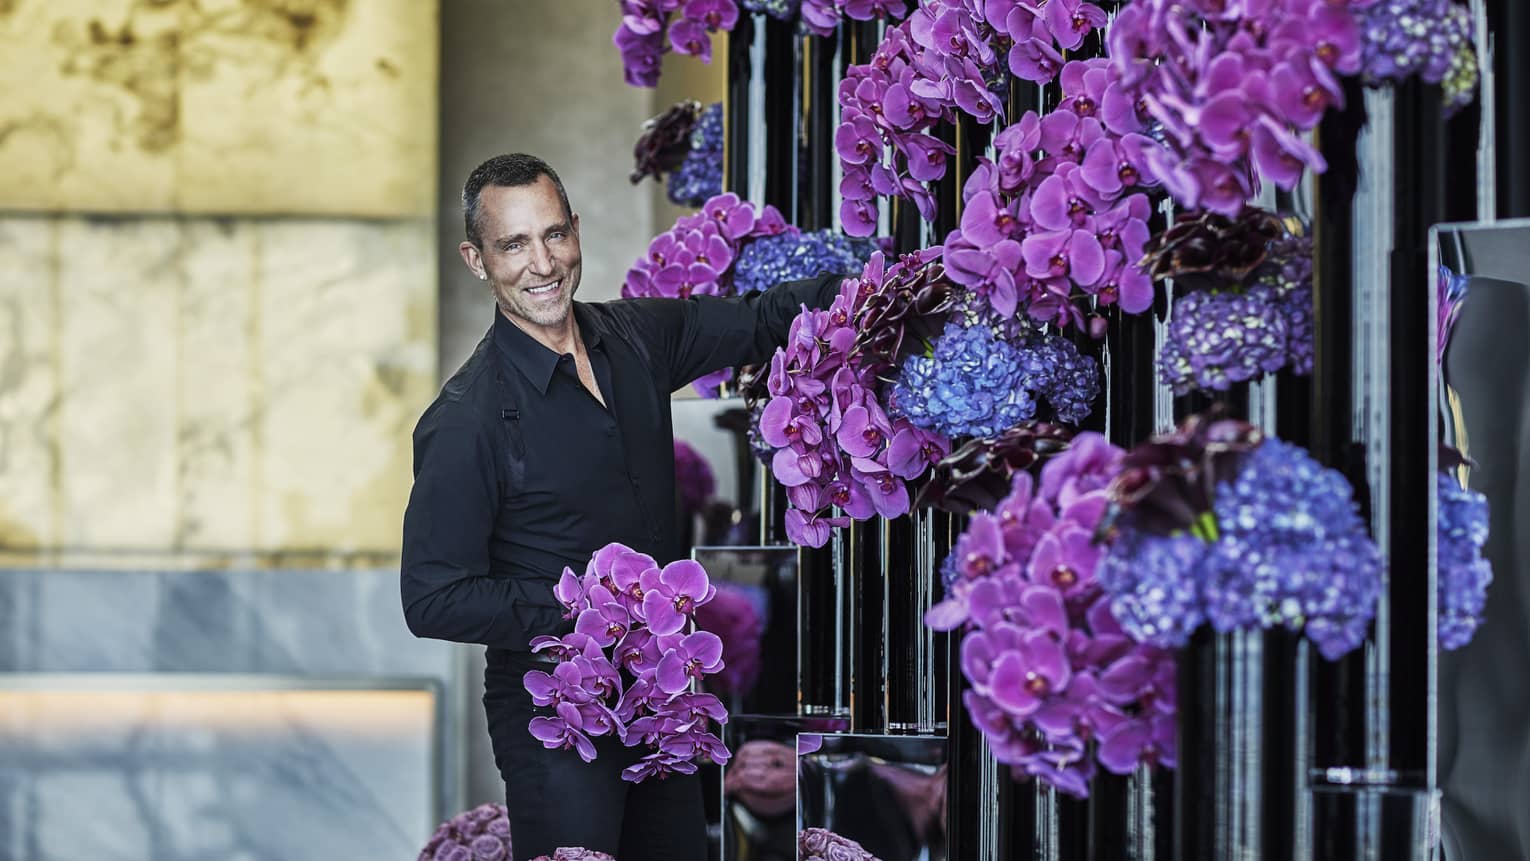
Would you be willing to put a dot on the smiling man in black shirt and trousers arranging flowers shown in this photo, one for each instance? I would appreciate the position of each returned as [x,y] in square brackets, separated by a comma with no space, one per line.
[550,443]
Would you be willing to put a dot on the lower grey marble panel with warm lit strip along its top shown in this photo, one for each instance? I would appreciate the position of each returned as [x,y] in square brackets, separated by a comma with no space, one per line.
[207,773]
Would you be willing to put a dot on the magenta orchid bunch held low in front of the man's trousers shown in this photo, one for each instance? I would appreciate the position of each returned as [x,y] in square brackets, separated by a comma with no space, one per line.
[628,668]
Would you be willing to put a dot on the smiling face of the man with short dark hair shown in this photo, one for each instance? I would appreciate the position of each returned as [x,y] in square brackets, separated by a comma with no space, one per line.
[530,252]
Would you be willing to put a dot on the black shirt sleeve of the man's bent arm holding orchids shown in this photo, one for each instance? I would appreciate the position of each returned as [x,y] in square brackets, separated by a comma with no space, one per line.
[444,577]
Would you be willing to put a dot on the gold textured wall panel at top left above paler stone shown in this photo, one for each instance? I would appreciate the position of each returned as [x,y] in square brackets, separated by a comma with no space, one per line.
[220,106]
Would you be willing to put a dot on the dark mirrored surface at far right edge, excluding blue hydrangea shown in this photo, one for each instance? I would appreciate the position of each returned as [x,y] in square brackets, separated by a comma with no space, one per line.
[1485,720]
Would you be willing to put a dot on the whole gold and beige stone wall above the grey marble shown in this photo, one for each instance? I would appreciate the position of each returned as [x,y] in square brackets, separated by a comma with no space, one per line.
[218,279]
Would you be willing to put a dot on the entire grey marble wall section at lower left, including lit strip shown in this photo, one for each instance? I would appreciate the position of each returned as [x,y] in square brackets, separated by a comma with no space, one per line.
[233,715]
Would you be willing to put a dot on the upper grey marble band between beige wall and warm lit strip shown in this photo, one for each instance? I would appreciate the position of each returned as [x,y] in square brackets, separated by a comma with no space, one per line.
[227,622]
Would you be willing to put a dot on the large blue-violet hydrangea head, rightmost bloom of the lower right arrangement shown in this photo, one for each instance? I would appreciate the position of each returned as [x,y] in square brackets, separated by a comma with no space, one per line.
[1301,551]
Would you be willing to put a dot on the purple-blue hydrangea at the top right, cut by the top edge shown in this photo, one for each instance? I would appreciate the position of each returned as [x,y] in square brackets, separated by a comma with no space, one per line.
[1431,39]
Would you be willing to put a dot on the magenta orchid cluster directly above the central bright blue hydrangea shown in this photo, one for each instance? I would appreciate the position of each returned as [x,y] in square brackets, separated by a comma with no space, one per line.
[1061,218]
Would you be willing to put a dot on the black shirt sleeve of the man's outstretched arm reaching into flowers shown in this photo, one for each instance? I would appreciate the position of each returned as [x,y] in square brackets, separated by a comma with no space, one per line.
[706,334]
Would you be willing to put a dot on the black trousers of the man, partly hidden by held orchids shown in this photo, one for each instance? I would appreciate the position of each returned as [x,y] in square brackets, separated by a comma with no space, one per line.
[556,799]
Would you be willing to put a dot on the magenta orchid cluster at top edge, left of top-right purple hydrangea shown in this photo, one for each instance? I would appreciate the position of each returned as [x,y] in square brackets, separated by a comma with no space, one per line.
[1229,86]
